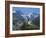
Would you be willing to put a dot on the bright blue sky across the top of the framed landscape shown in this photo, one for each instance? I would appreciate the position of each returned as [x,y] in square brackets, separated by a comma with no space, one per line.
[26,10]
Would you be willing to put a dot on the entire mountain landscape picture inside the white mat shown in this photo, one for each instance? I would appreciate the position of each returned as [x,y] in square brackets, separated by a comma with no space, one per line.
[23,16]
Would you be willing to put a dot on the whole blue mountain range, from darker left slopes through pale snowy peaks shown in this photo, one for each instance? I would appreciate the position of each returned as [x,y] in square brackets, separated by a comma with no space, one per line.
[29,16]
